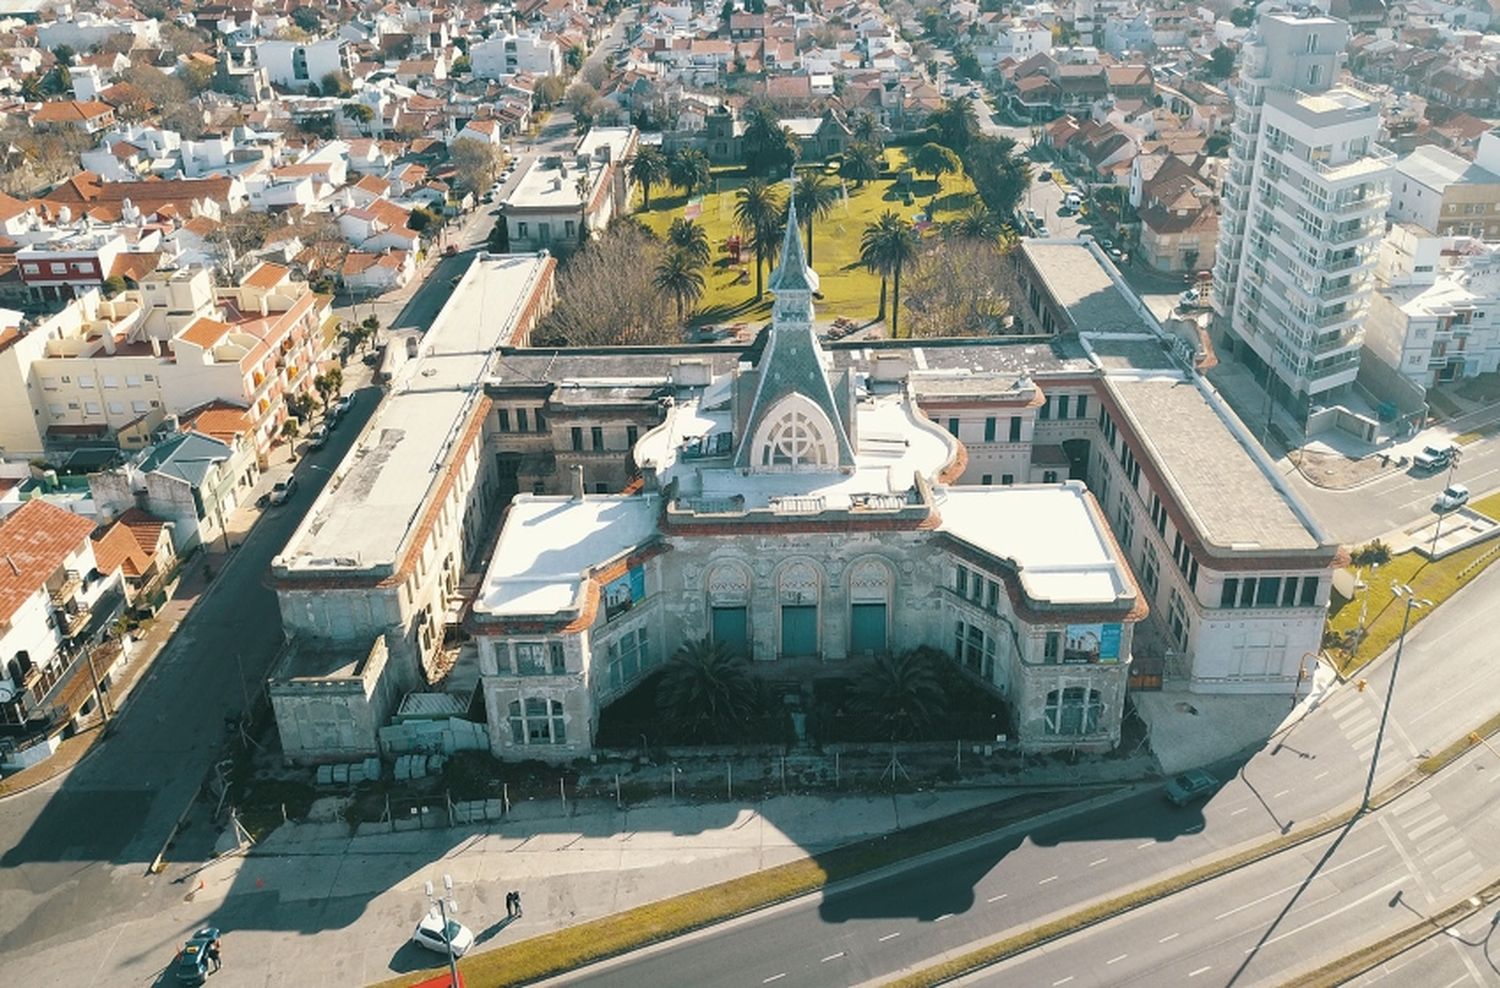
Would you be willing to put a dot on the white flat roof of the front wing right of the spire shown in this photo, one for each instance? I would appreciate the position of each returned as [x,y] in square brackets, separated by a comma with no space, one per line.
[1061,552]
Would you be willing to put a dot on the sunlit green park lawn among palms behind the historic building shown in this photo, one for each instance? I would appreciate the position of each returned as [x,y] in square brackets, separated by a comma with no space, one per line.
[848,289]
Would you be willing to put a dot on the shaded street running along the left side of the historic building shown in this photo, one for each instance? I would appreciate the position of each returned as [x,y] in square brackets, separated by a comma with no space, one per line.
[77,849]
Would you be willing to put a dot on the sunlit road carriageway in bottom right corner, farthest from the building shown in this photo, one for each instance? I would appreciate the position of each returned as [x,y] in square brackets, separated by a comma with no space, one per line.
[1297,912]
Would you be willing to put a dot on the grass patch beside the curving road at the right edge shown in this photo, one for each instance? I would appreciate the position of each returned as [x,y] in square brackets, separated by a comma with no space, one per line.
[1430,581]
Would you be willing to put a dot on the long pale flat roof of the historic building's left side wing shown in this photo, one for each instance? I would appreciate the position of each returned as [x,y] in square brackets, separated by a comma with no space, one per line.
[380,491]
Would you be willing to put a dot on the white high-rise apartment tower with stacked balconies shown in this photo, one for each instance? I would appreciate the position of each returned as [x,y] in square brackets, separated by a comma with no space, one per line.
[1303,212]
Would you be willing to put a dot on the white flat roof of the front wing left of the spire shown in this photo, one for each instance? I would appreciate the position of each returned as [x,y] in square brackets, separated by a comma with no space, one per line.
[550,543]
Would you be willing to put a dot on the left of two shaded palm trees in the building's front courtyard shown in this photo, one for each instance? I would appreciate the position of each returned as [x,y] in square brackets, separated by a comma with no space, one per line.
[707,690]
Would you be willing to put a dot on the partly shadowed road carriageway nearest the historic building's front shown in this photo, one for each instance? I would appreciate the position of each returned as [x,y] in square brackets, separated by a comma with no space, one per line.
[910,918]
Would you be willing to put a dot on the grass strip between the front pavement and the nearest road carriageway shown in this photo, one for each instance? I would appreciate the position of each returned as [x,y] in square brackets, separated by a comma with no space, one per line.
[611,936]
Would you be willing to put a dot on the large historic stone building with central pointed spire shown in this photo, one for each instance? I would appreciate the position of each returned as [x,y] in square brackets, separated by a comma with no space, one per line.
[1069,515]
